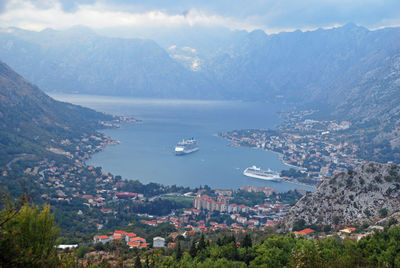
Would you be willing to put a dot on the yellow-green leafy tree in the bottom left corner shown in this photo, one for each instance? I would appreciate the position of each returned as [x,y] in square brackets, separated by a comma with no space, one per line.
[28,238]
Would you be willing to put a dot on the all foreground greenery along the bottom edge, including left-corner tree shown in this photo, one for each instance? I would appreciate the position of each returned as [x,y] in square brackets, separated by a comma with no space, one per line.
[28,238]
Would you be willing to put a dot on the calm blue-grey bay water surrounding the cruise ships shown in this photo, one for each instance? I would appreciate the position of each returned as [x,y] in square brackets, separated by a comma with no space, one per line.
[146,149]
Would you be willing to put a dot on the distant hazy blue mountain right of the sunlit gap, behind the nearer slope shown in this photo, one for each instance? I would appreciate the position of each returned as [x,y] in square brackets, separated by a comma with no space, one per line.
[303,67]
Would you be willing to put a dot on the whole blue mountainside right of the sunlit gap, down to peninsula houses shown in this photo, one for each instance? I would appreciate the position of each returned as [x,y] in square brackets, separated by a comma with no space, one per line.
[347,73]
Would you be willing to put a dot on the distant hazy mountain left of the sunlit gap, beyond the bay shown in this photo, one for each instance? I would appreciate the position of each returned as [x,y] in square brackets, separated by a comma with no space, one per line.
[80,61]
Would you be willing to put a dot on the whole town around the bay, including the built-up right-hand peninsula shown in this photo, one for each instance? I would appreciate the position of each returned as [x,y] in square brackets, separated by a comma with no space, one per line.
[94,202]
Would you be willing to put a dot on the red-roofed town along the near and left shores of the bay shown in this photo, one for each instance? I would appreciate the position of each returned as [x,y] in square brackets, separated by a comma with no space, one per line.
[87,199]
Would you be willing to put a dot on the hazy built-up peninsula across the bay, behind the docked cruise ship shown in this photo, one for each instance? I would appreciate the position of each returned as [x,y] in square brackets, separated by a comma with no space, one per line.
[318,148]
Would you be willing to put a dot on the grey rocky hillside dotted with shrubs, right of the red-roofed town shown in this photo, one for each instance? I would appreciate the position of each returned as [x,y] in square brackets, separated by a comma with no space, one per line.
[366,194]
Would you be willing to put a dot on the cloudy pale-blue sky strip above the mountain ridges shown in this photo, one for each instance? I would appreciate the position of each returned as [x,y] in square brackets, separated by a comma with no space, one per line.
[272,16]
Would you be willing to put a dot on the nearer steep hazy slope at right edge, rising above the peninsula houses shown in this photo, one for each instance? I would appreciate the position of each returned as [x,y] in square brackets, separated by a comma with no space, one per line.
[373,105]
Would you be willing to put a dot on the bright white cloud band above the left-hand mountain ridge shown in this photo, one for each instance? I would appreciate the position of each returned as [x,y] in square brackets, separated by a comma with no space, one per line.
[28,16]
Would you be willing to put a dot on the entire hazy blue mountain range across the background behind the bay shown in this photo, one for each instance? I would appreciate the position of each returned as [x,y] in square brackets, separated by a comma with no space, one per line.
[352,71]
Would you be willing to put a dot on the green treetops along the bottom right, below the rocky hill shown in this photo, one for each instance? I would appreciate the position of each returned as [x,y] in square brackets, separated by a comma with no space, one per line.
[378,250]
